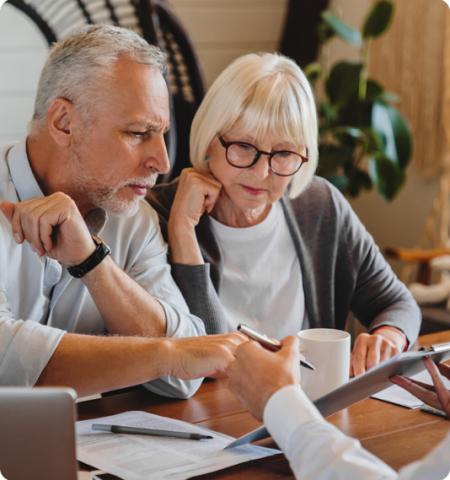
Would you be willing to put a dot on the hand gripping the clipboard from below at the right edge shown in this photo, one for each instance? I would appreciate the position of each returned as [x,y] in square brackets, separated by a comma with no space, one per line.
[435,395]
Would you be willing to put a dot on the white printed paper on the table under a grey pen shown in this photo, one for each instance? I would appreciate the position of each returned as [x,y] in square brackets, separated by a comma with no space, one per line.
[138,457]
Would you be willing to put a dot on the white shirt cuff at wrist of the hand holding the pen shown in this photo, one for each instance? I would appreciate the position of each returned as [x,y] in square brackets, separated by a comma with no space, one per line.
[286,410]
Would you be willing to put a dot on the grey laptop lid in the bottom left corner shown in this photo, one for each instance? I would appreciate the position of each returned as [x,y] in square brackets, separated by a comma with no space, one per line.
[37,437]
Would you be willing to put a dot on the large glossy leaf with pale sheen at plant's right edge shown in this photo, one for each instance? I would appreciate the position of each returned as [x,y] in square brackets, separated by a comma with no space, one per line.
[394,131]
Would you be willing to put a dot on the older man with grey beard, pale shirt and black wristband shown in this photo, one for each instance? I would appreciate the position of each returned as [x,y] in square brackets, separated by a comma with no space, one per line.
[80,251]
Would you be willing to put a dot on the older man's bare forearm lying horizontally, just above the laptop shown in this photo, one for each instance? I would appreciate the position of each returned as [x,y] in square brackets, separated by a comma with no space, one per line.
[92,364]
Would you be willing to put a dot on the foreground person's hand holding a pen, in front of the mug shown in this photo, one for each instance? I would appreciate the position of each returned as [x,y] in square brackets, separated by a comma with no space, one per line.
[258,373]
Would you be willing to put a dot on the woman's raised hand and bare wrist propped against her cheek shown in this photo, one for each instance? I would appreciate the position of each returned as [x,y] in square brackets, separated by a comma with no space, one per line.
[197,193]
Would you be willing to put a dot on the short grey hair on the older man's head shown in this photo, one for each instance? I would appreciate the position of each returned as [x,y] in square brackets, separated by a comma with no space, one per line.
[79,66]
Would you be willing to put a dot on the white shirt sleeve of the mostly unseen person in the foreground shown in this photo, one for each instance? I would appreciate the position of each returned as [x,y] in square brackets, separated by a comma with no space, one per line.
[317,450]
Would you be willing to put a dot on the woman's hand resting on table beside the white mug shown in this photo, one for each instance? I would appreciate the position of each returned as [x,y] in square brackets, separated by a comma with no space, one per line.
[371,349]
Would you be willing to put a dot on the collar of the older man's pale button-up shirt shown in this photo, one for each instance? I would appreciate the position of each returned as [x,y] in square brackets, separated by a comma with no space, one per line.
[27,186]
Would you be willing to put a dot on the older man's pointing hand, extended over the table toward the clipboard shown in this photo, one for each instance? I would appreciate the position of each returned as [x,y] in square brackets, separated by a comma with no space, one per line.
[195,357]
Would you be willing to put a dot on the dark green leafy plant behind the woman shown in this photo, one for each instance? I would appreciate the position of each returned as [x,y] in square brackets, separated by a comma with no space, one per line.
[365,142]
